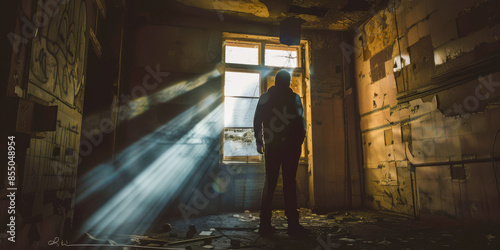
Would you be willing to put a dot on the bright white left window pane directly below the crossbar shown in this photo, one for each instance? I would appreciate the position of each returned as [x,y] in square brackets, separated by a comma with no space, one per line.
[241,84]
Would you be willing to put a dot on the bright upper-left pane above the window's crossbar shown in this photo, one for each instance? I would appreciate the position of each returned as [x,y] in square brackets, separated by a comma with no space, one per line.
[242,54]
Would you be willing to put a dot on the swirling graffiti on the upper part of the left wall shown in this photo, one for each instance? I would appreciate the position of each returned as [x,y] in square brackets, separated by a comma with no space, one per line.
[57,64]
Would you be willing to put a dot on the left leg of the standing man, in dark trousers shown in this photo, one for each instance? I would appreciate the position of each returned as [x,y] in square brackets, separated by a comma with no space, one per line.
[273,163]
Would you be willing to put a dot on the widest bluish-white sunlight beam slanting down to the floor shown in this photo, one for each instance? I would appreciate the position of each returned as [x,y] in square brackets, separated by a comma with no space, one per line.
[143,199]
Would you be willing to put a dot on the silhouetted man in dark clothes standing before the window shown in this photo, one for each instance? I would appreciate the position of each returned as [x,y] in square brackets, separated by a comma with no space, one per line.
[279,129]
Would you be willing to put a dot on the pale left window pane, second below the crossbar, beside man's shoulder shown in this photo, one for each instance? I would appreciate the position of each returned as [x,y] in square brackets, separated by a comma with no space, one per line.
[239,112]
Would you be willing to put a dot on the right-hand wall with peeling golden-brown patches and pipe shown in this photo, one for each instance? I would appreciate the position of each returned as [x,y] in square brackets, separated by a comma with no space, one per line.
[440,109]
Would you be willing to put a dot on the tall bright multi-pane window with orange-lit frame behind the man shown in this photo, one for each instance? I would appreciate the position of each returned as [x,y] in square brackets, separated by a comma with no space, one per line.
[250,71]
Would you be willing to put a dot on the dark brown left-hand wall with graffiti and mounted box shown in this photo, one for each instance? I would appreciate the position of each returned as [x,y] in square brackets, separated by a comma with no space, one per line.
[48,66]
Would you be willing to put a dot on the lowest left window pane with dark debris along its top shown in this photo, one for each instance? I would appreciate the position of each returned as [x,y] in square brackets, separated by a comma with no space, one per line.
[239,142]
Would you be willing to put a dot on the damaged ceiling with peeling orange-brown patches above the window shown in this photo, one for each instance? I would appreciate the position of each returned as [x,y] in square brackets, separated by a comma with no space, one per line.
[317,14]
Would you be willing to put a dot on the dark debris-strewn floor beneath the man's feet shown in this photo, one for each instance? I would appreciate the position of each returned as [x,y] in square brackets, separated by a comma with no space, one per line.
[338,230]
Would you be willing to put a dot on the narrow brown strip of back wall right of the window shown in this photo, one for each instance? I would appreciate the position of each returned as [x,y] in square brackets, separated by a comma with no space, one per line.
[328,174]
